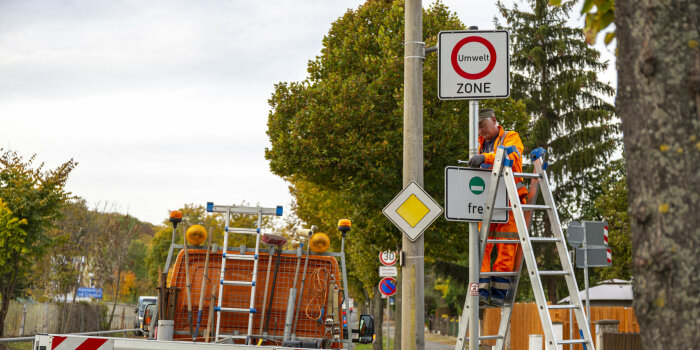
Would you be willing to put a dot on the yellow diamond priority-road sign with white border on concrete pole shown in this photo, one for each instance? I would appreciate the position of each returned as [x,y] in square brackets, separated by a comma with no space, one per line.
[412,211]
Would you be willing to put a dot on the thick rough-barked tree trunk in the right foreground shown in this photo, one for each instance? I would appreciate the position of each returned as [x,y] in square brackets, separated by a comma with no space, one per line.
[658,98]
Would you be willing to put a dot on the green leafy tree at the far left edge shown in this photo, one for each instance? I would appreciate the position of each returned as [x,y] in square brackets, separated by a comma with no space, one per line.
[36,196]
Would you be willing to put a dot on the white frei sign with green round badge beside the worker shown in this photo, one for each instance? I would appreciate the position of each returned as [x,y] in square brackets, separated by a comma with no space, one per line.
[465,195]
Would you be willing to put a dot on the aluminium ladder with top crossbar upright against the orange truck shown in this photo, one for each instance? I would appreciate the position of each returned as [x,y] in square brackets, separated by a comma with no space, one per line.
[250,310]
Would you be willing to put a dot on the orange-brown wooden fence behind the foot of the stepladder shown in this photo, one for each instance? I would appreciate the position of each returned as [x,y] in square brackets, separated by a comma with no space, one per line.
[525,320]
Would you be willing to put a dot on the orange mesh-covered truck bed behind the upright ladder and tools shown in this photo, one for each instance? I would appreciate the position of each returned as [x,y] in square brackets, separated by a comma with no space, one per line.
[313,301]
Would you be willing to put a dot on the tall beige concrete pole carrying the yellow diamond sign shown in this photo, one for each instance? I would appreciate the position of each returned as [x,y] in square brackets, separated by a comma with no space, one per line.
[412,274]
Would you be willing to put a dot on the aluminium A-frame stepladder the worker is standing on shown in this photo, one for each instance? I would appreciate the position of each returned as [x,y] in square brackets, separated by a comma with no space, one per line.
[522,213]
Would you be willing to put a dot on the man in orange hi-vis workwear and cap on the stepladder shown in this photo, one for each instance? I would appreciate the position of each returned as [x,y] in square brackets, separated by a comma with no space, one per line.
[492,135]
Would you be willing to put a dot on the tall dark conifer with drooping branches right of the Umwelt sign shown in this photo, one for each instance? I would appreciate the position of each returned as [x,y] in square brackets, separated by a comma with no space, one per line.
[555,73]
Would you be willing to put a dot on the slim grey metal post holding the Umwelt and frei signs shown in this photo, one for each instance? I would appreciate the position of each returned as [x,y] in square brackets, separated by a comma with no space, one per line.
[474,251]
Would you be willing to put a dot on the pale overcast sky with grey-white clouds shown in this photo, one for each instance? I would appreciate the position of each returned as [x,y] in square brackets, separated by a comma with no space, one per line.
[161,102]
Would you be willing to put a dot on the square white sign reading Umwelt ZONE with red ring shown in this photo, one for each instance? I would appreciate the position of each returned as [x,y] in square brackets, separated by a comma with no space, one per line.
[473,64]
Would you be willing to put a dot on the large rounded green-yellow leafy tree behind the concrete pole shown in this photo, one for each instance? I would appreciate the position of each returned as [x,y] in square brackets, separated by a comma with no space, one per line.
[337,135]
